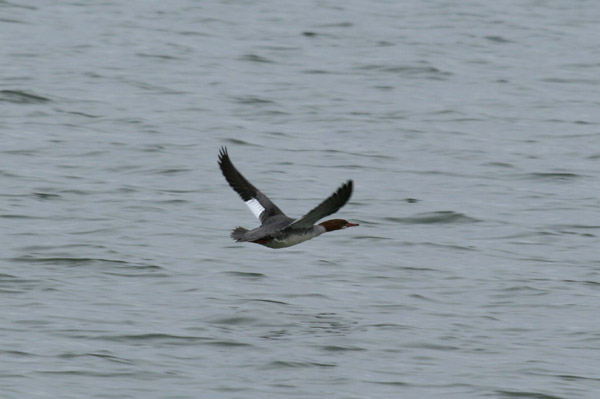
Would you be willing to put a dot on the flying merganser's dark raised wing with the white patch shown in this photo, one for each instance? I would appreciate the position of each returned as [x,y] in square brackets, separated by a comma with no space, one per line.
[259,204]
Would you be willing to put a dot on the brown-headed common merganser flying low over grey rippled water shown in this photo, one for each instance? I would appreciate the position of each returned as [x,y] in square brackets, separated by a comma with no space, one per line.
[276,229]
